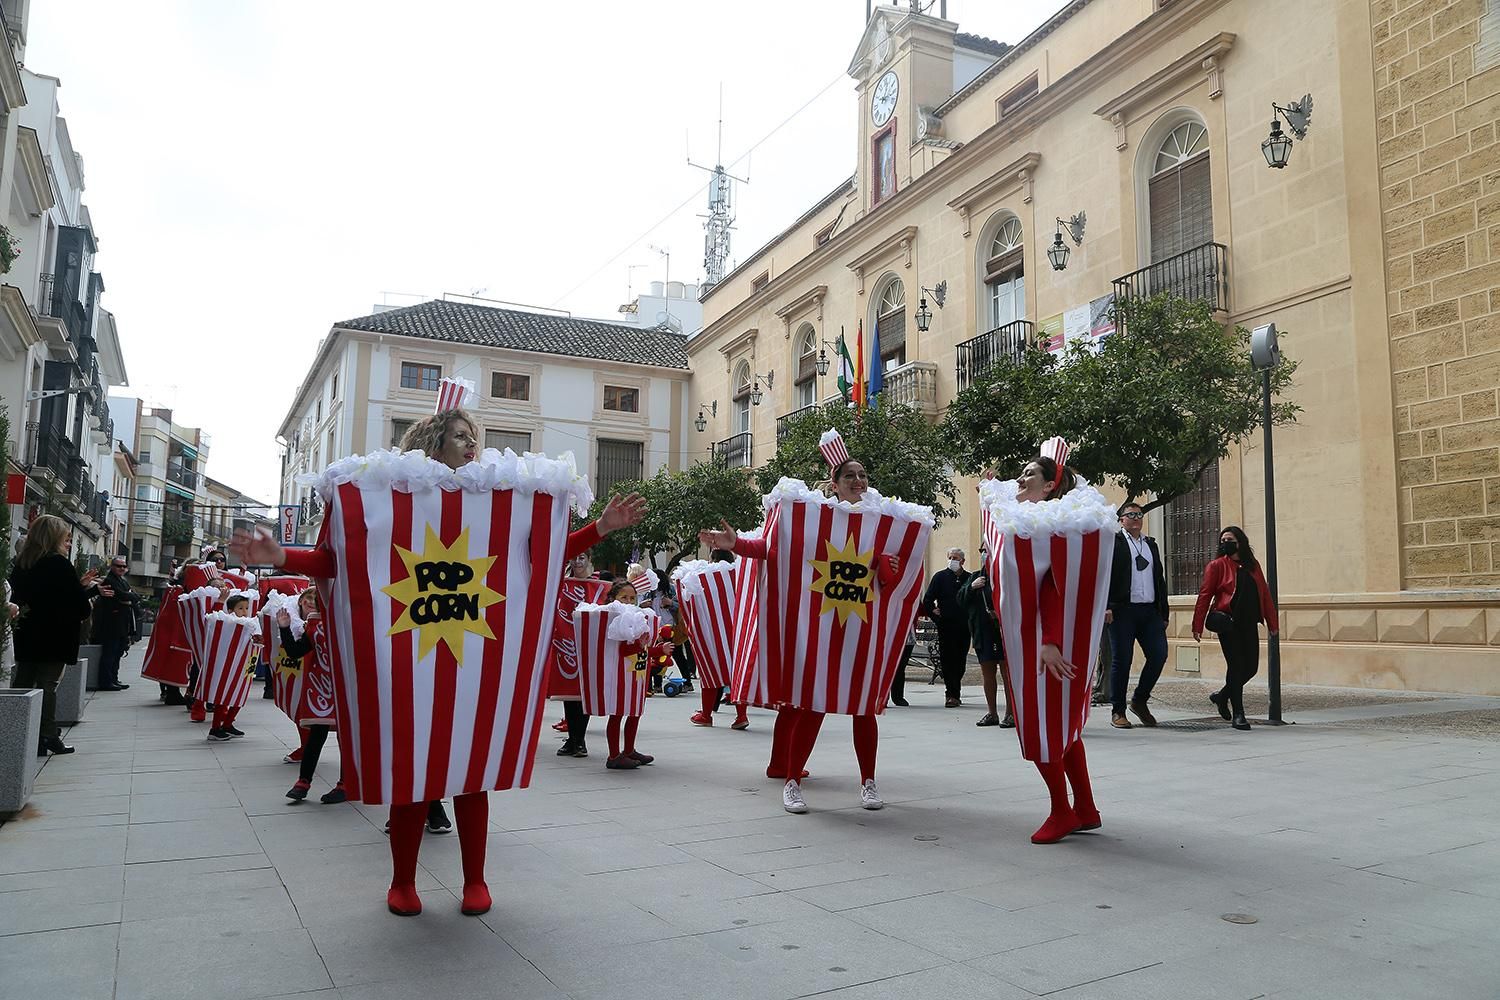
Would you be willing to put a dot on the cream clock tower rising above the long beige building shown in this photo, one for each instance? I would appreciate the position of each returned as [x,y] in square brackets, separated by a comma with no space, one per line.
[902,68]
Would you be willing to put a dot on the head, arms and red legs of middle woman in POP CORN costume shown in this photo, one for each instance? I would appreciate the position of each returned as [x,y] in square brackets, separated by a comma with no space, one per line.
[797,728]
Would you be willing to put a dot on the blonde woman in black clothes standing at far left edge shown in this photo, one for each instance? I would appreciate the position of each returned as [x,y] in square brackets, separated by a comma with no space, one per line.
[55,605]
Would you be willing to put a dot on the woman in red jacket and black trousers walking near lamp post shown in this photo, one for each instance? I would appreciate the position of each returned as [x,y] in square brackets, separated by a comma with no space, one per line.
[1234,600]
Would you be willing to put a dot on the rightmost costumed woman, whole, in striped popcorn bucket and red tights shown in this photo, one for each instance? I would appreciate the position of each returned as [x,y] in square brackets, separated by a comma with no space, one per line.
[1051,536]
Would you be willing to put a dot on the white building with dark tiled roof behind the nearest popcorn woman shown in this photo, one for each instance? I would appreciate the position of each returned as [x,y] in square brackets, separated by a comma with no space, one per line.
[613,395]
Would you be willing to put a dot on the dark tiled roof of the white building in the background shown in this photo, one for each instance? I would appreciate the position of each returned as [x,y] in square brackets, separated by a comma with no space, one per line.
[520,331]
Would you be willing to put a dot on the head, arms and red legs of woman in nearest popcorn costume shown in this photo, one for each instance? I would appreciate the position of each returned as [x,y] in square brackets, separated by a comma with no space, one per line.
[452,439]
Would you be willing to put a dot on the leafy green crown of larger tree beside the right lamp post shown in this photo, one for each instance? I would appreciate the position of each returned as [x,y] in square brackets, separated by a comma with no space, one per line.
[1151,409]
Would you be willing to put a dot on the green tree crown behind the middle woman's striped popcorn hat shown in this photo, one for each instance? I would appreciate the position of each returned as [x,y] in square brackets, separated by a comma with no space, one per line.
[905,454]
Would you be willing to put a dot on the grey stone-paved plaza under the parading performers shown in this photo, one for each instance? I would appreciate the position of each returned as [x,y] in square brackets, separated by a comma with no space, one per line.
[1355,852]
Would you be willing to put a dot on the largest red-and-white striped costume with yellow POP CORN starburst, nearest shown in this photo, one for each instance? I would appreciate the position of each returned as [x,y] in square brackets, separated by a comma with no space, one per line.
[442,611]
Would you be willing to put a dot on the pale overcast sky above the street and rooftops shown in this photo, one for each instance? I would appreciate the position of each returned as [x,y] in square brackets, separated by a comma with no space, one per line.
[262,170]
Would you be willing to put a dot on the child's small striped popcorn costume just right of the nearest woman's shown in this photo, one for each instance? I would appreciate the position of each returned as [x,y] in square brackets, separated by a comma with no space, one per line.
[616,647]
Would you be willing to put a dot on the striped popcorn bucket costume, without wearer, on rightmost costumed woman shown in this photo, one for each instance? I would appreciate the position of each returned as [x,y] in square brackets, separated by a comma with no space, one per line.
[1051,570]
